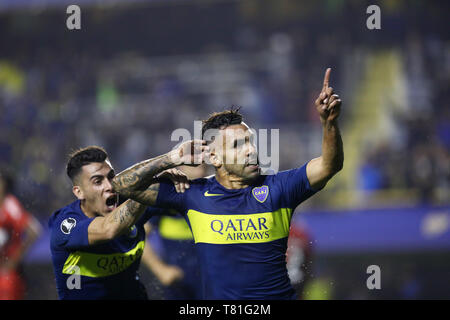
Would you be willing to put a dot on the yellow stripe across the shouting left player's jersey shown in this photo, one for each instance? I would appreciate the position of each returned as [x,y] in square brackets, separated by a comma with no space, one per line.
[101,265]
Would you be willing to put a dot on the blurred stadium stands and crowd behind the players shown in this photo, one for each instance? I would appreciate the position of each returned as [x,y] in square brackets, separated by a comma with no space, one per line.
[137,70]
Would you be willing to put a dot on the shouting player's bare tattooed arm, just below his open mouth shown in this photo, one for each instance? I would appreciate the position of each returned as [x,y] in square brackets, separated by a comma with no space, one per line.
[115,223]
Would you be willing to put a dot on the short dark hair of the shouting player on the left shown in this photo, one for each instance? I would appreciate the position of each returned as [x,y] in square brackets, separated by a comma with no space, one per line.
[82,157]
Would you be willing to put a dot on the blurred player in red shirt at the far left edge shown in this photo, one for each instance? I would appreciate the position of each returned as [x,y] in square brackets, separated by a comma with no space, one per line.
[18,230]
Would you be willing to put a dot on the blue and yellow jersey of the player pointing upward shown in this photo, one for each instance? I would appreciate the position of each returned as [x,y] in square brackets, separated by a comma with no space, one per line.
[241,235]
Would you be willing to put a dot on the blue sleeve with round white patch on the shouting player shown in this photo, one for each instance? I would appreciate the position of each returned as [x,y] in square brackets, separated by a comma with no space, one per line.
[69,232]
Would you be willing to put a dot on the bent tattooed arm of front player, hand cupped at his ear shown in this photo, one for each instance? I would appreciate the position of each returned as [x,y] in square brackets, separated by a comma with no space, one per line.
[139,183]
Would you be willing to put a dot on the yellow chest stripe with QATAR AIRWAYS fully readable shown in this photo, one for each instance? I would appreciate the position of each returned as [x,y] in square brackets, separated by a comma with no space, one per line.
[240,228]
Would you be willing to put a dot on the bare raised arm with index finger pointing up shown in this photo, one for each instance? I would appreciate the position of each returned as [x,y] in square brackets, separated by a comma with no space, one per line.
[320,170]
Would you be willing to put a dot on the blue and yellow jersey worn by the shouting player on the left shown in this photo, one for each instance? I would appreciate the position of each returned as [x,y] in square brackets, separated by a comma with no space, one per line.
[105,271]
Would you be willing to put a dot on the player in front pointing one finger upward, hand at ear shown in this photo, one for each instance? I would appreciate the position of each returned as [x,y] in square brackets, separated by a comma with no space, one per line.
[239,218]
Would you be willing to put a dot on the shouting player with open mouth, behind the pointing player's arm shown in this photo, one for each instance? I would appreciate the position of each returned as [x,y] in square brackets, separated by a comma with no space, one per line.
[96,242]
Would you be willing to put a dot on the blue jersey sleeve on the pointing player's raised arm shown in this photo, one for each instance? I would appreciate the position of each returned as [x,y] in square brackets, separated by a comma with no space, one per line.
[295,186]
